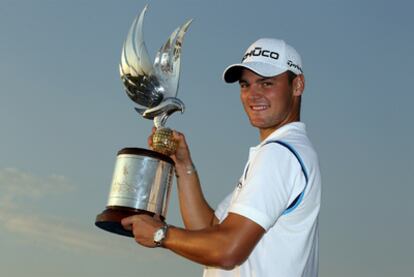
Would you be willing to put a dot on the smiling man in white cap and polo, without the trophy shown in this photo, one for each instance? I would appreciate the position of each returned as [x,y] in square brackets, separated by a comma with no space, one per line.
[269,225]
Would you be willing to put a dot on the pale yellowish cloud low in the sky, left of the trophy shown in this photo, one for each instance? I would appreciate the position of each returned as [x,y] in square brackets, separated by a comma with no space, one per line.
[17,217]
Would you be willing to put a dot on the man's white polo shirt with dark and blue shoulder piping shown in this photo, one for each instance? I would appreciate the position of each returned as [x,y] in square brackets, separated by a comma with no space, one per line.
[272,180]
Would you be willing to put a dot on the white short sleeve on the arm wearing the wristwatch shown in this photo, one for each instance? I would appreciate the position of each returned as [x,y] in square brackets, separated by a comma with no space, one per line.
[267,189]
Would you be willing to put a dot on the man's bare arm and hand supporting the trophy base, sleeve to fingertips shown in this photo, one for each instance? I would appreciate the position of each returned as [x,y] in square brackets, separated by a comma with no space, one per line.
[223,245]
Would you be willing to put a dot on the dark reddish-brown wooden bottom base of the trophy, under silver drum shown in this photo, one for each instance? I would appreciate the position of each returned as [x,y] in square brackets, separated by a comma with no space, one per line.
[110,219]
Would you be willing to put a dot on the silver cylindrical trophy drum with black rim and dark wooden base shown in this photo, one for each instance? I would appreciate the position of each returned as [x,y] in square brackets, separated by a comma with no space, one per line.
[141,184]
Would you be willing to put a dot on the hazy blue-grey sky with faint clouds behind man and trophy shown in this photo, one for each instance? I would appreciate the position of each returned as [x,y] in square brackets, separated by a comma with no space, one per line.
[64,115]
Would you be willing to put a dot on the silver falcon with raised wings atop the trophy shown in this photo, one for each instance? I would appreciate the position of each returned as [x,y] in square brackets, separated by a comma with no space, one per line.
[154,86]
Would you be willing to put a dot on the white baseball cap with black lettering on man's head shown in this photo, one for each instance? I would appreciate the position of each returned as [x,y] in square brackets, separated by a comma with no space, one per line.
[266,57]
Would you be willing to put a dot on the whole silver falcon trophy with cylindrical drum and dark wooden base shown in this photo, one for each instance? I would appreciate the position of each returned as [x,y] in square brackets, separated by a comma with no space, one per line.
[142,178]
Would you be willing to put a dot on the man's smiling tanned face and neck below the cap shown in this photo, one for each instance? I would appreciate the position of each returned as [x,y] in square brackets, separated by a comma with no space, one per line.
[270,102]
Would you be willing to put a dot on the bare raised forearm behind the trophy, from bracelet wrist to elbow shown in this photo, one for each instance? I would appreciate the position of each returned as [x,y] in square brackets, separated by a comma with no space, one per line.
[195,211]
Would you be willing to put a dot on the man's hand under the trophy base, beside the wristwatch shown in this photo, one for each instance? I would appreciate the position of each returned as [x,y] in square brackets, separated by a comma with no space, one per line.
[143,227]
